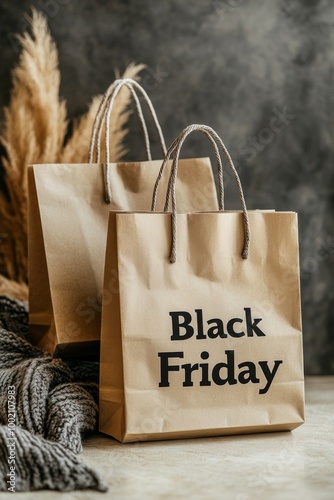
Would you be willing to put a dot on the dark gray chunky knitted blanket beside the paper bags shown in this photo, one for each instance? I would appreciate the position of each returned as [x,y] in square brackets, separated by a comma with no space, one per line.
[46,407]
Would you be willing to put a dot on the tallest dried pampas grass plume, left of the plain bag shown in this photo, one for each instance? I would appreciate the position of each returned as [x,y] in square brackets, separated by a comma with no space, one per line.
[33,132]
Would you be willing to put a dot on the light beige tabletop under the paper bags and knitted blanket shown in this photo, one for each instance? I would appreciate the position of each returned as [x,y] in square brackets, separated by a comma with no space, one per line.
[287,465]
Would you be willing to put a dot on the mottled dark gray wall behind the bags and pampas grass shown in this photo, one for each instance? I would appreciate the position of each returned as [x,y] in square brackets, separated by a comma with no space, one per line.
[235,65]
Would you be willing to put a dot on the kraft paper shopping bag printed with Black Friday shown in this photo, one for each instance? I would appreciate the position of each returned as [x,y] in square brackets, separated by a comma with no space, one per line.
[201,322]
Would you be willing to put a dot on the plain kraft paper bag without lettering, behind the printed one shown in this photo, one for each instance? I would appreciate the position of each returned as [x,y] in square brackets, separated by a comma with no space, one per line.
[68,216]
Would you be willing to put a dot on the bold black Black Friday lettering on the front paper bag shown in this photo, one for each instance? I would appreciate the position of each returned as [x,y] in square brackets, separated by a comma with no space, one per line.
[224,372]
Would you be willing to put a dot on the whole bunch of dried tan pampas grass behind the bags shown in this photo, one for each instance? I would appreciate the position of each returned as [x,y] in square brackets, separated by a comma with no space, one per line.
[34,131]
